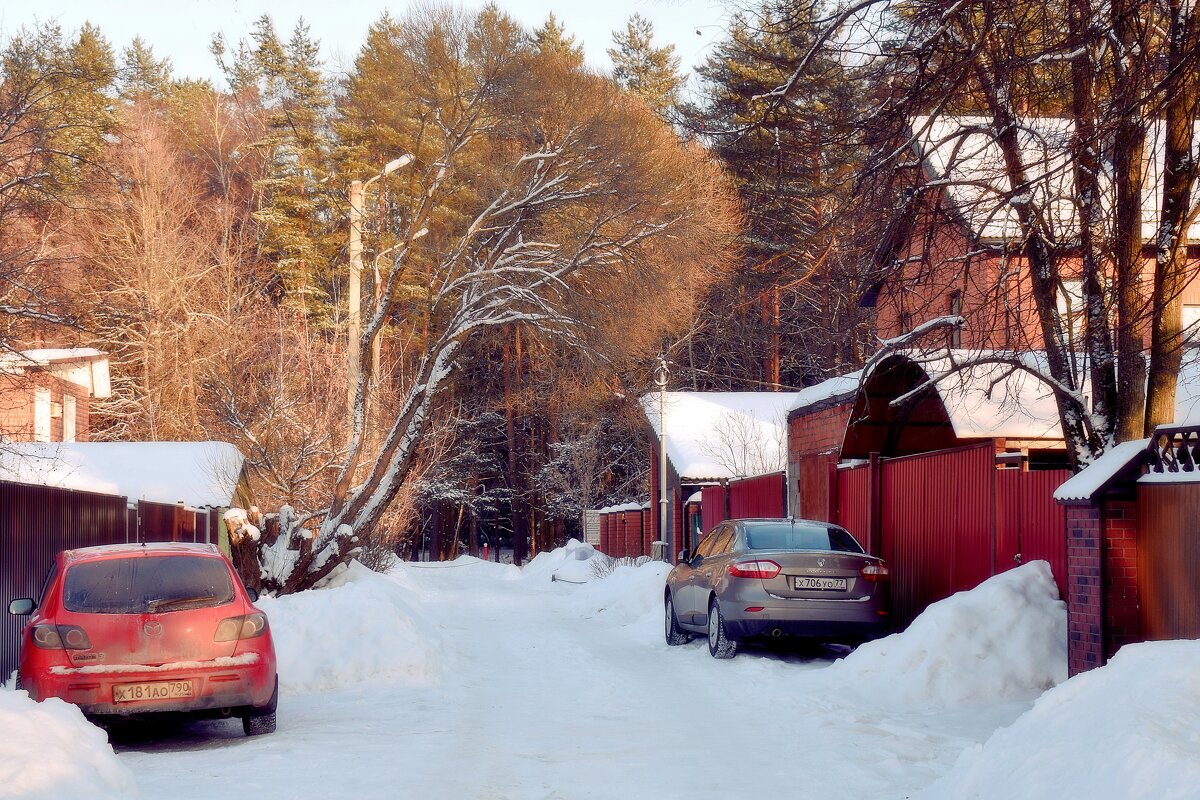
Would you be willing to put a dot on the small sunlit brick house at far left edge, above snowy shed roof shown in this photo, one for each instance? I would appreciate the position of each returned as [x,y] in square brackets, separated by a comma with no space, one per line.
[46,395]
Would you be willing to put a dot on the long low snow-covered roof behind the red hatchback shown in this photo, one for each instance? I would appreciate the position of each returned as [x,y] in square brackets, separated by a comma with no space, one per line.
[197,473]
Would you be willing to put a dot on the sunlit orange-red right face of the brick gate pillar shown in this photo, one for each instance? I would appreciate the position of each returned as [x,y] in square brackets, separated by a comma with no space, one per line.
[1121,624]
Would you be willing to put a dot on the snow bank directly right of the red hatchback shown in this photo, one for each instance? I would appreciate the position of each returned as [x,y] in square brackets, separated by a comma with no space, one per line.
[363,627]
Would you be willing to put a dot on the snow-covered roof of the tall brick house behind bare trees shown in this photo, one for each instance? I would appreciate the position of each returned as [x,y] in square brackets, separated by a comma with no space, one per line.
[962,152]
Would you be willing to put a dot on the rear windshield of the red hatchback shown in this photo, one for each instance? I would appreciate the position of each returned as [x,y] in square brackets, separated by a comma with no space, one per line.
[142,586]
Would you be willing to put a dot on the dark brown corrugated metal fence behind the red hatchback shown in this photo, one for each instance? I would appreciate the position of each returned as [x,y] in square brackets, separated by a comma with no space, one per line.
[37,522]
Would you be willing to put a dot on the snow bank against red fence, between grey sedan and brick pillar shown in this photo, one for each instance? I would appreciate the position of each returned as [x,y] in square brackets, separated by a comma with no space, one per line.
[1007,637]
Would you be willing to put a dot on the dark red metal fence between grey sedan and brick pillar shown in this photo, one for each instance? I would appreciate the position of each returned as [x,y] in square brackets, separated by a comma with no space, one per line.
[947,521]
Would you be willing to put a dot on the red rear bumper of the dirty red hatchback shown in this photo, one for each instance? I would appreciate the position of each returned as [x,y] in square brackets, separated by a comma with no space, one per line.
[215,685]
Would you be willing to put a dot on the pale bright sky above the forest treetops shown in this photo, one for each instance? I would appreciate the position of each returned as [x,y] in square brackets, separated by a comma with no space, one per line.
[183,29]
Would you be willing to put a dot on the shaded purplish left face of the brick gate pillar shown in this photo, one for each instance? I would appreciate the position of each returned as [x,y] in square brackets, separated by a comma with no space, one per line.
[1085,603]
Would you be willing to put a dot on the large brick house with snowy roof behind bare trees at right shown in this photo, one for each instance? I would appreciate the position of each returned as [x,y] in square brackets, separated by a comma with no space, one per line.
[959,250]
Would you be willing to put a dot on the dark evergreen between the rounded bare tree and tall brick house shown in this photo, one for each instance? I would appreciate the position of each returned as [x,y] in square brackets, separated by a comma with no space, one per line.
[791,315]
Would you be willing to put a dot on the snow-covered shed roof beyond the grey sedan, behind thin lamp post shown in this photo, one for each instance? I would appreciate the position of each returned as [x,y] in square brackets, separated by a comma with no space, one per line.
[700,426]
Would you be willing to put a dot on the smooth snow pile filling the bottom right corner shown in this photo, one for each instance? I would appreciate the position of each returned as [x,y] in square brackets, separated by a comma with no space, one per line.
[1125,731]
